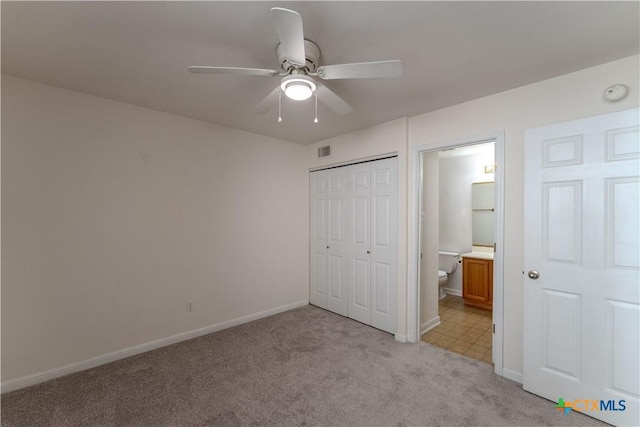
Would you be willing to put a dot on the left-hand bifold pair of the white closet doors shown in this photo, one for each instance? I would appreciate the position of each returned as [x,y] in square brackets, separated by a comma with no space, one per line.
[328,191]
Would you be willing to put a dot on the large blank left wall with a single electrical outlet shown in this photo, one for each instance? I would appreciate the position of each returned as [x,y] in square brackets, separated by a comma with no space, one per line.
[115,215]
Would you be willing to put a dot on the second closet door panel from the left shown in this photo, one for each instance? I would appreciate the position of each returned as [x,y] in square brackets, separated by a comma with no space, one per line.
[337,240]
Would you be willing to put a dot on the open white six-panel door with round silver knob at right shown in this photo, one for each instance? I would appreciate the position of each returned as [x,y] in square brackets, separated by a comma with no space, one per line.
[582,266]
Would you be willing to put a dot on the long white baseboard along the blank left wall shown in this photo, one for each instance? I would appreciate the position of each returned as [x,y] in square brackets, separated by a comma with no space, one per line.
[29,380]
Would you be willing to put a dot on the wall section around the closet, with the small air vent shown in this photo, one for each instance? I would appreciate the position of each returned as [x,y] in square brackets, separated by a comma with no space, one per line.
[387,138]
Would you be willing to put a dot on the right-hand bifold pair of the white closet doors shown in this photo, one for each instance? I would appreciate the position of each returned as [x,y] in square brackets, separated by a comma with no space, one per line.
[372,245]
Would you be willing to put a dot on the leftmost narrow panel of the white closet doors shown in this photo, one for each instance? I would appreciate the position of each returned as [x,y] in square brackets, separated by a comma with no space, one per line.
[318,189]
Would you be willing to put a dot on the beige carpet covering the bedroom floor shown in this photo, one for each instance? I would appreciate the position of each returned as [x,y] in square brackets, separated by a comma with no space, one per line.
[304,367]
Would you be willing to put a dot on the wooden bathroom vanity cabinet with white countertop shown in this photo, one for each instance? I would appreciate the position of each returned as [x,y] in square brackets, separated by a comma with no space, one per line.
[477,279]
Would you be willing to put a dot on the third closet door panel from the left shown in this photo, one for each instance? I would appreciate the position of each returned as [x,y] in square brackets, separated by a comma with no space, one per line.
[359,226]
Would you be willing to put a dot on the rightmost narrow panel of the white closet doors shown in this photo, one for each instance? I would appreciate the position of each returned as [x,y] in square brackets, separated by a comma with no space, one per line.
[384,244]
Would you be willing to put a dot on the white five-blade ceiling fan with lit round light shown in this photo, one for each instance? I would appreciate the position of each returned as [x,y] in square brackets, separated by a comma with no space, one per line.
[298,63]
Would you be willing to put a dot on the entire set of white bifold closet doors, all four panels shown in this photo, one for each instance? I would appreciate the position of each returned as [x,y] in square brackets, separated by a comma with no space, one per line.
[354,241]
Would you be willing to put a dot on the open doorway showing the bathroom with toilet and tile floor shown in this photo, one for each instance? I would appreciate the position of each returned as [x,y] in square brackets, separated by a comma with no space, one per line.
[458,267]
